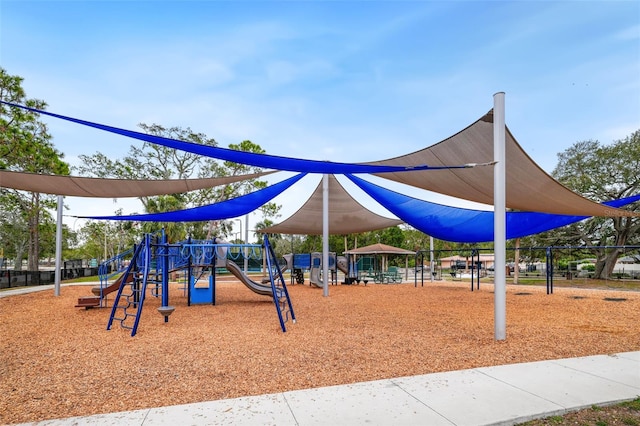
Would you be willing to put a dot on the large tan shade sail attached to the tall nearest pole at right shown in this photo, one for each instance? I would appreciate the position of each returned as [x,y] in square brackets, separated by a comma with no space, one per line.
[528,187]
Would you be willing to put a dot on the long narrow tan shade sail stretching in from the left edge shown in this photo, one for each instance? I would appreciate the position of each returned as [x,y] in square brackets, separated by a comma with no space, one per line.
[111,188]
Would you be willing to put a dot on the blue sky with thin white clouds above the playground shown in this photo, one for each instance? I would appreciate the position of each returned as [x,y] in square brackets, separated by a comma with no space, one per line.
[347,81]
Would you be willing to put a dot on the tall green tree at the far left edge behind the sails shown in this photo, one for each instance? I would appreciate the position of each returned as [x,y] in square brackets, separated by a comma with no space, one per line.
[25,145]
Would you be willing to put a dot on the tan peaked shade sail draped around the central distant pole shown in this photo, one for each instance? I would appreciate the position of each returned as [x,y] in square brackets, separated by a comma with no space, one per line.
[346,215]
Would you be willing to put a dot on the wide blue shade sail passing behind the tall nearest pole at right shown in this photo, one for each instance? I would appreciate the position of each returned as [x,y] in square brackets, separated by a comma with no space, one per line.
[467,225]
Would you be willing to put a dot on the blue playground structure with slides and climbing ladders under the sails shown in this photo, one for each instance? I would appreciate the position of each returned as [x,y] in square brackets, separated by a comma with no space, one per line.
[148,266]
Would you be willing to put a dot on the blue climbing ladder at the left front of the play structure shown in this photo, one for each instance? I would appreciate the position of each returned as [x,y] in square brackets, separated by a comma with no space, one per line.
[127,306]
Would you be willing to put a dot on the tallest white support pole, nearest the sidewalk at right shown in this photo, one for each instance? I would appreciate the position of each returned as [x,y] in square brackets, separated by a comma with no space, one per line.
[499,218]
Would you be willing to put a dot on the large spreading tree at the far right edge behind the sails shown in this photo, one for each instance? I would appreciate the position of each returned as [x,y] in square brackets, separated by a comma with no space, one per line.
[601,173]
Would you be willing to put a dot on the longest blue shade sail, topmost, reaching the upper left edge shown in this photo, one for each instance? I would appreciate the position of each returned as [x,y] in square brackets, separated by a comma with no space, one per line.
[248,158]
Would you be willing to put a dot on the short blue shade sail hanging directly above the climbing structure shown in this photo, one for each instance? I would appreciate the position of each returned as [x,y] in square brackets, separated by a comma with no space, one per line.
[223,210]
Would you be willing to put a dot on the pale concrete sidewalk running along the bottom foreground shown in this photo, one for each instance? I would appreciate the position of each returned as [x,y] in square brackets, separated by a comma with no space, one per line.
[500,395]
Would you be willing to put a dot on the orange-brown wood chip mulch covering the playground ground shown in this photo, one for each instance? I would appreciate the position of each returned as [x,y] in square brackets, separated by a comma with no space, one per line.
[59,361]
